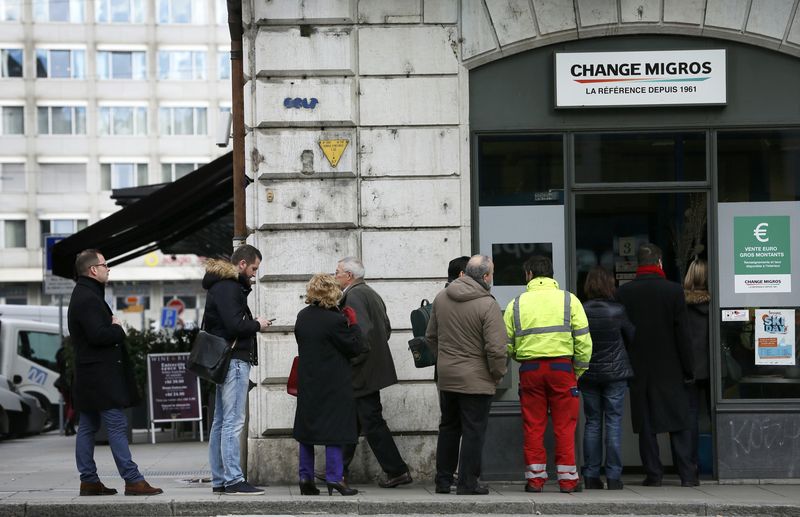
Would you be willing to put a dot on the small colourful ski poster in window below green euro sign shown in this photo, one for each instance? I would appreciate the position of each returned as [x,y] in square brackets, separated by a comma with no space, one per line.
[775,337]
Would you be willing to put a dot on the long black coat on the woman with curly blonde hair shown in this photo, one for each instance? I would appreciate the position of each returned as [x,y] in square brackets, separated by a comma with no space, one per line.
[326,409]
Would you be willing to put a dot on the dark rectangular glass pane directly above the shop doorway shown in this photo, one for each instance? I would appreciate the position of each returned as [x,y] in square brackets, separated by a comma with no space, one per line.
[640,157]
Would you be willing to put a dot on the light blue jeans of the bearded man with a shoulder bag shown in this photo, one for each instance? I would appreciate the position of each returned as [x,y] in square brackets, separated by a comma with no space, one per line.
[229,411]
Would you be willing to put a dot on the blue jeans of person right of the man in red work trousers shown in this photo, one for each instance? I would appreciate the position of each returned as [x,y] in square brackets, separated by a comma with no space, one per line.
[603,401]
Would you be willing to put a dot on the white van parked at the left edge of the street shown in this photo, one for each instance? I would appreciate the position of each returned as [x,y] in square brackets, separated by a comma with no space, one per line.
[28,357]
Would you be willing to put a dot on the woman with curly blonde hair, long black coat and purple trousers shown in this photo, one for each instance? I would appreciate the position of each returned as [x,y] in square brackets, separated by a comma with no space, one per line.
[326,410]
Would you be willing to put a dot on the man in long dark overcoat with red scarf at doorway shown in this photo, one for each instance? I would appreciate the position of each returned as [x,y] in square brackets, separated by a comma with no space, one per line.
[662,361]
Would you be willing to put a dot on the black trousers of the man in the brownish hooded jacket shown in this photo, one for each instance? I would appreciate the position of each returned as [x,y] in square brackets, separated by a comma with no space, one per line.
[464,420]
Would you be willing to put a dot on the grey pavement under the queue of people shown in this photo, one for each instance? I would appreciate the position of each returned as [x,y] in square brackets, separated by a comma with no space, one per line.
[38,477]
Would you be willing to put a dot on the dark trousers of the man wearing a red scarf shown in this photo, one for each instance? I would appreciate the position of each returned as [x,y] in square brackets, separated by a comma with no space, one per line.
[681,444]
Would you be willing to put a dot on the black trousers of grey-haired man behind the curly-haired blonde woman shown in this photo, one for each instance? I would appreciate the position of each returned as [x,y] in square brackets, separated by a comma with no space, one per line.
[372,425]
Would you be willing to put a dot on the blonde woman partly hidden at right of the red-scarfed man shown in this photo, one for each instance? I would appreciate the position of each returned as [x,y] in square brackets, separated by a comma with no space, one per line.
[695,288]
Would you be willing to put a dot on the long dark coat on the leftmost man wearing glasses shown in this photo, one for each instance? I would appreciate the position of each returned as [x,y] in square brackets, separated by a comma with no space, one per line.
[103,373]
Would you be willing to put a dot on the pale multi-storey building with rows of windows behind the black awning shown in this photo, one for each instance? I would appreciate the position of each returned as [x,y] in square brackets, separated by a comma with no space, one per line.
[99,95]
